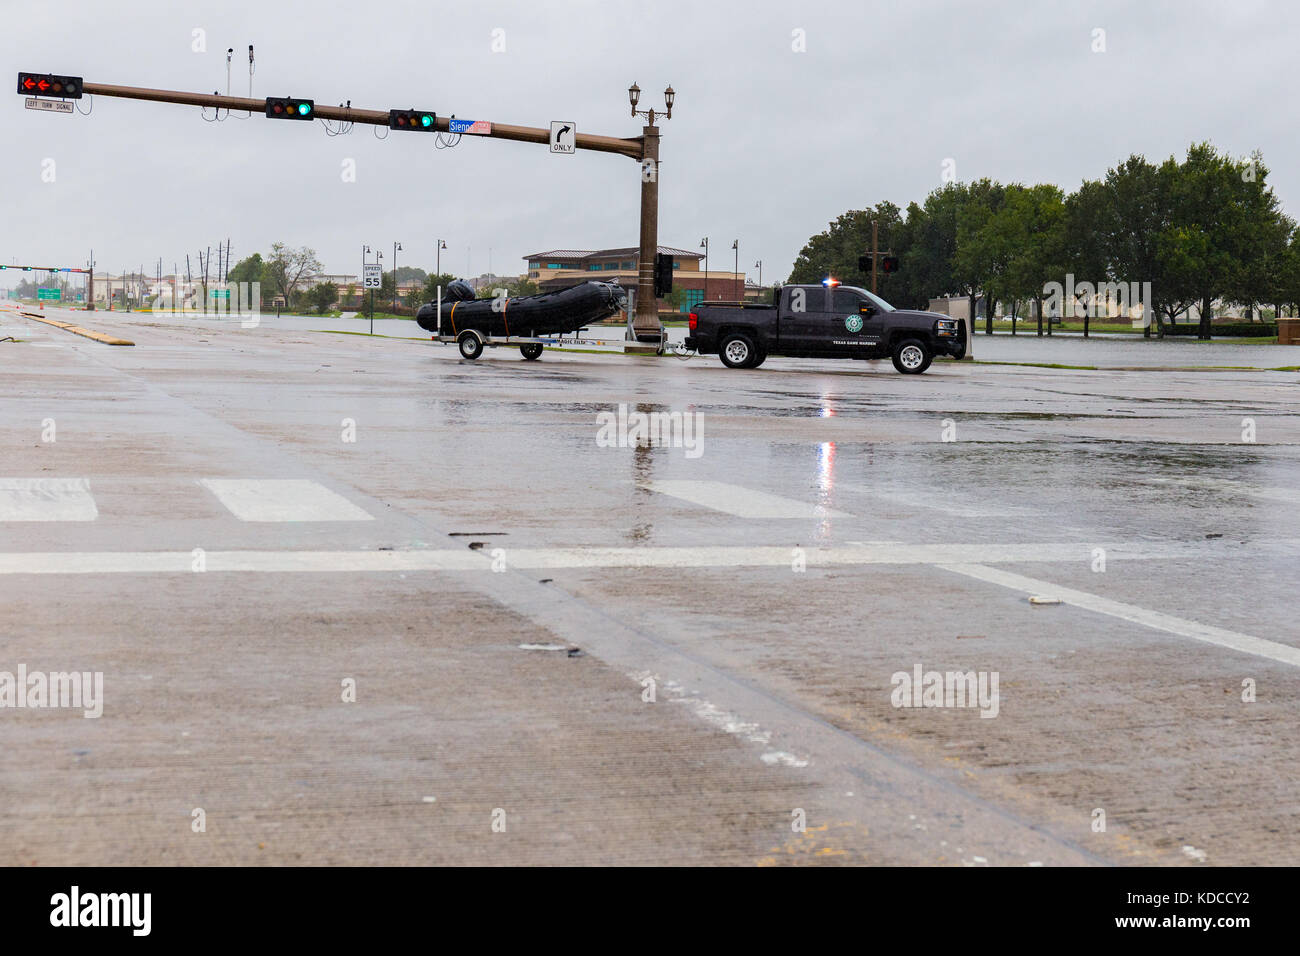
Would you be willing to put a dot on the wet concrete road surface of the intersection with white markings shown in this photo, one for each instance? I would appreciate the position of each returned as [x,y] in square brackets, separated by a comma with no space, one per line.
[830,526]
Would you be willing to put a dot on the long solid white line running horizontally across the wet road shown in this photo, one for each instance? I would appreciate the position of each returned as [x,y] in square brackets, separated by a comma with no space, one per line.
[548,559]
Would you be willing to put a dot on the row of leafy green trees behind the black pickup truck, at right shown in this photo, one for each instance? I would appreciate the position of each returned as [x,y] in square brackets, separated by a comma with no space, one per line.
[1201,231]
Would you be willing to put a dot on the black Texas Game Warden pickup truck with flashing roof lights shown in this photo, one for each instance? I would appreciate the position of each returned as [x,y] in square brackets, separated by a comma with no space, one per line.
[825,322]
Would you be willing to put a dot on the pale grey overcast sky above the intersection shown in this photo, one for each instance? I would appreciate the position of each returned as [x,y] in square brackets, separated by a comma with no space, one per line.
[766,145]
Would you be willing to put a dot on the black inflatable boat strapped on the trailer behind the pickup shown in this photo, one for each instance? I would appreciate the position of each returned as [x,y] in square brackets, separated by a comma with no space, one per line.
[566,310]
